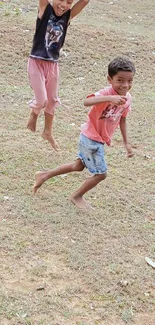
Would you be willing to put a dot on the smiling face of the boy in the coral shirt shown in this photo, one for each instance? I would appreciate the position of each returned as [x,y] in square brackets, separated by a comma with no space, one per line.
[122,82]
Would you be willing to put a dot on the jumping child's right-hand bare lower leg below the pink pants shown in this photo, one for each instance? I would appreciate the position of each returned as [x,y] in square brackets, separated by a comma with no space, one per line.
[47,132]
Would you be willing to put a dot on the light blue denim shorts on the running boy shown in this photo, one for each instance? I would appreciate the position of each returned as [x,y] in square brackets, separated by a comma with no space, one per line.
[92,154]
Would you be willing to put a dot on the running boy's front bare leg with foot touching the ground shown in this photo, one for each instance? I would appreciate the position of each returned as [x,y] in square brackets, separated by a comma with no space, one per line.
[77,197]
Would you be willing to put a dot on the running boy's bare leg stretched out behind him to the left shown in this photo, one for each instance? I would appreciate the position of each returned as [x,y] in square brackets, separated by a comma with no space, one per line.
[41,177]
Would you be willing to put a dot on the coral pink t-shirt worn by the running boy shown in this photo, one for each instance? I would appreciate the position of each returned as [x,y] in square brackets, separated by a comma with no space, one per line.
[103,119]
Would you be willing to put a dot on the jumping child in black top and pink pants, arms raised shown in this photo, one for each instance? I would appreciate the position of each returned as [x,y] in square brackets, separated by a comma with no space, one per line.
[43,69]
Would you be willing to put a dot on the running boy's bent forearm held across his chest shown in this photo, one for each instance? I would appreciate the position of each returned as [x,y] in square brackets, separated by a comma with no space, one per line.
[115,99]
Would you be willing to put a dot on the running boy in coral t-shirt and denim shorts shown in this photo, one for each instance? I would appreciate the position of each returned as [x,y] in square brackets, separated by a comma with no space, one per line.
[109,108]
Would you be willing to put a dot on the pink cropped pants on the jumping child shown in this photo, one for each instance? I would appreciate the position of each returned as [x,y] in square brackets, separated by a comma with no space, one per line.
[44,80]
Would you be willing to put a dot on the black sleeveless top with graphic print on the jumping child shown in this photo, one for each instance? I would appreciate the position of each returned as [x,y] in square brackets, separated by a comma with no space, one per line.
[50,35]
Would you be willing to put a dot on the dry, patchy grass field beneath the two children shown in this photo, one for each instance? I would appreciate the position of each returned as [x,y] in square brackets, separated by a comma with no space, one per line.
[58,265]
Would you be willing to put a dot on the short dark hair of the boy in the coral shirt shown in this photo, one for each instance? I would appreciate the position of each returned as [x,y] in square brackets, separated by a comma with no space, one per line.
[120,64]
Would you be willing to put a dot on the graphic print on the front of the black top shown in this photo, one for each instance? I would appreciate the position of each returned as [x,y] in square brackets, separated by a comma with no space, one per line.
[53,33]
